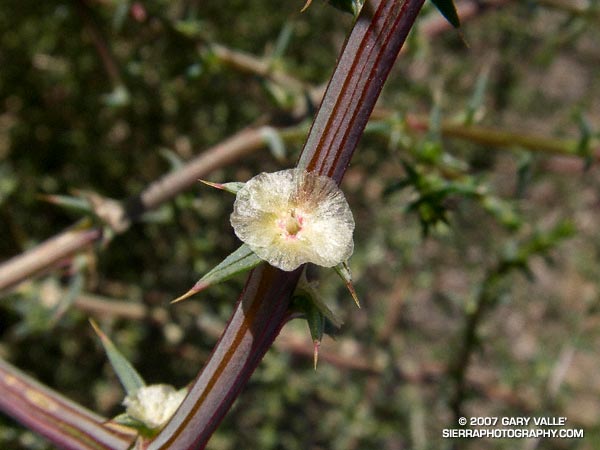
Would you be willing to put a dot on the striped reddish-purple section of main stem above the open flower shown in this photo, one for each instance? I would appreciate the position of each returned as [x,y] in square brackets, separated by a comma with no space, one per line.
[362,69]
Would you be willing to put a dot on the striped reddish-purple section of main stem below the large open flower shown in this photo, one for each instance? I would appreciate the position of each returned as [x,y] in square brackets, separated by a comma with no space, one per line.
[259,315]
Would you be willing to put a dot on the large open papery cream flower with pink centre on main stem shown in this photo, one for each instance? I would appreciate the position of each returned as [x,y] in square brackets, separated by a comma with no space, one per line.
[292,217]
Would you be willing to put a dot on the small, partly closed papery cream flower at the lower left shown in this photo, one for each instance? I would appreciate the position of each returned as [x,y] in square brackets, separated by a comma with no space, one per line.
[154,405]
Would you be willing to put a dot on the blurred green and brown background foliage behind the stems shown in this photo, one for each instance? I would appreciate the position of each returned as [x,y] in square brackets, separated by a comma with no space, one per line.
[109,95]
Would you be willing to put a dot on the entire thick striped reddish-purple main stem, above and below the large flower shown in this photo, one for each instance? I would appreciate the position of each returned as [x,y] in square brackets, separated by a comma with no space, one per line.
[366,60]
